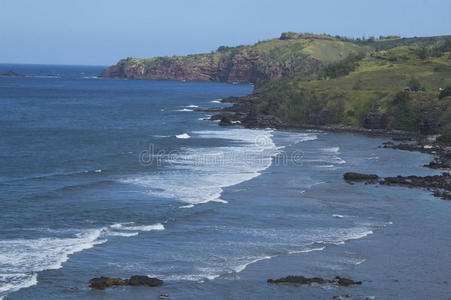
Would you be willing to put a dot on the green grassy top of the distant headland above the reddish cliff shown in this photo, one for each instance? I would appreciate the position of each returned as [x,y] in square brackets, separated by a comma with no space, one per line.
[296,54]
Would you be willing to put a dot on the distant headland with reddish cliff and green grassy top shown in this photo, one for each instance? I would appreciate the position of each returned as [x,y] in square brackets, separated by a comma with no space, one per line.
[264,61]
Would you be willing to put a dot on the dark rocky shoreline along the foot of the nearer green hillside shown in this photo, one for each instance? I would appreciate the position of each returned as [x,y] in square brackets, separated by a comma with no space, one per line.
[242,113]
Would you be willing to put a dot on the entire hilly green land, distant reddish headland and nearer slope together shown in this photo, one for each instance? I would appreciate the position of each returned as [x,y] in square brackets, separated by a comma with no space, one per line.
[307,79]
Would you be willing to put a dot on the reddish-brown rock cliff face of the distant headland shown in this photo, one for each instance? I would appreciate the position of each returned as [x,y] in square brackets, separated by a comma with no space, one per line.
[242,68]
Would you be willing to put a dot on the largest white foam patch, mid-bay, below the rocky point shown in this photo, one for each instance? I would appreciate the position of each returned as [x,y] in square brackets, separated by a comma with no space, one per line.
[200,174]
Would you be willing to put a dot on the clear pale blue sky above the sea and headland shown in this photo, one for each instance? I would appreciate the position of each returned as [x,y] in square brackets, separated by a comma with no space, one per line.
[100,32]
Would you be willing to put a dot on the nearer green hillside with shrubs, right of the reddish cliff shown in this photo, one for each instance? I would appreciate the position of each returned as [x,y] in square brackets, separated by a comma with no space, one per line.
[397,88]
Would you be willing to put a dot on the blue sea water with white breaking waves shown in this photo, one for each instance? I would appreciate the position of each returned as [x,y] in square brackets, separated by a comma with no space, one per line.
[108,177]
